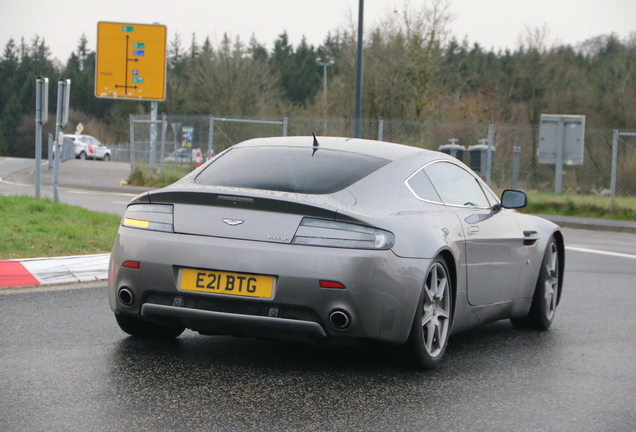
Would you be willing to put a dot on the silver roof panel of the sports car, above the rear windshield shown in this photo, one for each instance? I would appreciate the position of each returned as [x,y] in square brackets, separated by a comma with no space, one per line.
[381,149]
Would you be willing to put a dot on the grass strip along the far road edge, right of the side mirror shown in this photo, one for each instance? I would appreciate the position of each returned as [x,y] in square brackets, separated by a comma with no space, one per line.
[591,206]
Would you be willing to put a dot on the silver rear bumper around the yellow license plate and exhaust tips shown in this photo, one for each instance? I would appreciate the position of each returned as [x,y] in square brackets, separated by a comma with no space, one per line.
[381,289]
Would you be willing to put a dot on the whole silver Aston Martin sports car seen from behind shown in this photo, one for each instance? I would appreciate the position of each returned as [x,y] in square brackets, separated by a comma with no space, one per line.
[333,239]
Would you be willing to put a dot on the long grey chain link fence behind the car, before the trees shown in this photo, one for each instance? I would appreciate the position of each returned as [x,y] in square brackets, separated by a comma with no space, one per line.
[513,164]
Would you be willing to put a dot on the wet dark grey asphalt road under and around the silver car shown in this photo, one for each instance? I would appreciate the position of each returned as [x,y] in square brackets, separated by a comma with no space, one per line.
[66,366]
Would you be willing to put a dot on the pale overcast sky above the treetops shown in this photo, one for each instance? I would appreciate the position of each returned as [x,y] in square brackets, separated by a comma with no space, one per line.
[493,23]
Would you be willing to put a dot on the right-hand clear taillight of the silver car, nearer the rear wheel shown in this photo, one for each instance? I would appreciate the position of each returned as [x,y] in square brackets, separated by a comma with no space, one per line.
[325,233]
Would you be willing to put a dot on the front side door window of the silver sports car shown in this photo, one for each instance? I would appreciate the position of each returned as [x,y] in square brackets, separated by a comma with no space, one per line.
[456,185]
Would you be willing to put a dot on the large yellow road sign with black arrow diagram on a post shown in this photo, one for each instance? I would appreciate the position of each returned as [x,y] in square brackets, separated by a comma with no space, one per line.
[131,61]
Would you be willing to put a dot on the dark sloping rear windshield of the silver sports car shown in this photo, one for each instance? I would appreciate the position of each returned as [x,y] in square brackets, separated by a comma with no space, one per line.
[289,169]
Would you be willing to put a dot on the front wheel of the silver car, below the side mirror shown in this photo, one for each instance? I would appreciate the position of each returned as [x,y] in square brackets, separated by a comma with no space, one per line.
[546,292]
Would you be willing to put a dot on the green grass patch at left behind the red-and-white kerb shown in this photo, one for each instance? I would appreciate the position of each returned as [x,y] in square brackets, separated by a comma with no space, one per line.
[33,228]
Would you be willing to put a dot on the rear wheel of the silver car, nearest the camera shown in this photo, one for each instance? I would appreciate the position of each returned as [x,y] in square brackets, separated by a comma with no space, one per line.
[433,317]
